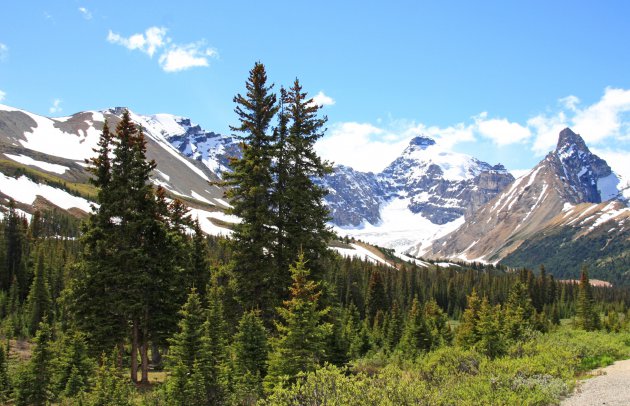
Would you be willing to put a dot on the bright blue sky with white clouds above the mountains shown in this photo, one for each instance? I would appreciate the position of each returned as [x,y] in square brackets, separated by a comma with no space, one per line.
[494,79]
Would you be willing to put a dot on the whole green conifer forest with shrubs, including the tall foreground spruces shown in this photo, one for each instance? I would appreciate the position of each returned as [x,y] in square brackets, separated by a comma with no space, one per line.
[133,304]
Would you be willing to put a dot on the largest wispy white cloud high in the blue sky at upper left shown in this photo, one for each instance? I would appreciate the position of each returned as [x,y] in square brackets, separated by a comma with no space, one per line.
[173,57]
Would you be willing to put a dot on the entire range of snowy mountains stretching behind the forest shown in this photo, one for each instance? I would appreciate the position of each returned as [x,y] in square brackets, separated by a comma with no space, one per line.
[429,202]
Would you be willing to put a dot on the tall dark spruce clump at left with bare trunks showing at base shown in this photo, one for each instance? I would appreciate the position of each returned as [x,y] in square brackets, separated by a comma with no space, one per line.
[128,274]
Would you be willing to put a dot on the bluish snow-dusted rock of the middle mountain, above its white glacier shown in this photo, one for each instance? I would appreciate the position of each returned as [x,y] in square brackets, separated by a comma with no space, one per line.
[439,185]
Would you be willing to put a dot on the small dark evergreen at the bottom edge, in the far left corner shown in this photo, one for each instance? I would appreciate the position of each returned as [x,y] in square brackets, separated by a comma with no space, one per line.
[34,381]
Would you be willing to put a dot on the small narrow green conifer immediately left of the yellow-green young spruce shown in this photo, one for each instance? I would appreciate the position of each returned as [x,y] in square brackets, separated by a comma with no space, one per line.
[250,358]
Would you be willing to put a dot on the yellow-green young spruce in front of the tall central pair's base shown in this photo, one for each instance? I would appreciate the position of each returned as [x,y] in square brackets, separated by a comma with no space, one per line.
[300,346]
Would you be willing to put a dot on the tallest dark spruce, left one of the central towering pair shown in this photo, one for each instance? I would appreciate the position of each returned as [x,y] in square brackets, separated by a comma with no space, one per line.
[250,184]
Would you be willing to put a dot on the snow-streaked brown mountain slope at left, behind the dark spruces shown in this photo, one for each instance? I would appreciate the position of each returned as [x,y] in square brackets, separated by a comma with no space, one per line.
[43,160]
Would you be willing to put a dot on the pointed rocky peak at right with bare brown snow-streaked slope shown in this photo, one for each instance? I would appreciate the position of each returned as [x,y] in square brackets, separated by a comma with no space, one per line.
[568,176]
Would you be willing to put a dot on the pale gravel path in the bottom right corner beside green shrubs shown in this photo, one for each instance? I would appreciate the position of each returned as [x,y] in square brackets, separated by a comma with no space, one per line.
[611,386]
